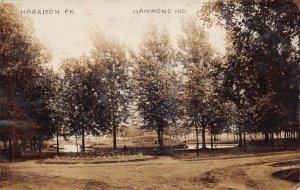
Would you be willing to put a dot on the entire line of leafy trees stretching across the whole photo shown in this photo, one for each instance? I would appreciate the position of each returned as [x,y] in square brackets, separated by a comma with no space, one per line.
[160,86]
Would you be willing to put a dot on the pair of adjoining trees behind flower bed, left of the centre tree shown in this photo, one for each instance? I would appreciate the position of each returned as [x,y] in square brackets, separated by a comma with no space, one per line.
[94,94]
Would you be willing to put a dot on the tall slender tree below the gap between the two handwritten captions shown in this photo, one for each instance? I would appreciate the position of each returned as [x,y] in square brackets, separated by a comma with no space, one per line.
[110,57]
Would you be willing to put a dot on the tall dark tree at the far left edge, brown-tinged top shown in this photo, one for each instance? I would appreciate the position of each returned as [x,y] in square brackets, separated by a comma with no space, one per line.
[22,59]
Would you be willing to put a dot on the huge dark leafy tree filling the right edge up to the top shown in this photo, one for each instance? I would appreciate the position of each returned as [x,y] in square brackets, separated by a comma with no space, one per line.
[263,61]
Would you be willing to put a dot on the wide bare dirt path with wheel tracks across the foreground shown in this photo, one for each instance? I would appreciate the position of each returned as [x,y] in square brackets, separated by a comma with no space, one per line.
[162,173]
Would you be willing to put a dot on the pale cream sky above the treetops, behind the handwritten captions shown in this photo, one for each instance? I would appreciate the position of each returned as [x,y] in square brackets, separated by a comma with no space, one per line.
[68,34]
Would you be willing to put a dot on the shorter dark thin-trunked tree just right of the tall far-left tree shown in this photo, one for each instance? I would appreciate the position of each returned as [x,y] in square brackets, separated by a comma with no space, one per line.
[36,99]
